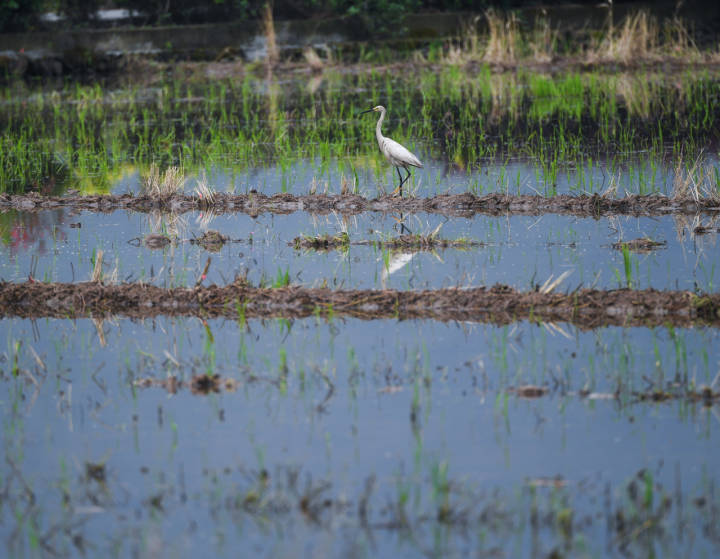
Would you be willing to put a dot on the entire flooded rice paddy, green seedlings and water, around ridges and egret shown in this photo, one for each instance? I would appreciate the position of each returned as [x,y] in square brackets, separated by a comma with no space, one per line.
[304,433]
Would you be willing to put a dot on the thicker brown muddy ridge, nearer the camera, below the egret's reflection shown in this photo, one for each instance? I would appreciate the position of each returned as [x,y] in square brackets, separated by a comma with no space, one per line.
[585,308]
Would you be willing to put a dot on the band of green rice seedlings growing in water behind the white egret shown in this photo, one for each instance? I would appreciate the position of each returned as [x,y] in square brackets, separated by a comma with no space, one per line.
[465,114]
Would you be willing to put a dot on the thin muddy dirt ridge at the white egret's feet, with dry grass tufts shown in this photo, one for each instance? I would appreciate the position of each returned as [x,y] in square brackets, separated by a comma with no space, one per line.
[463,205]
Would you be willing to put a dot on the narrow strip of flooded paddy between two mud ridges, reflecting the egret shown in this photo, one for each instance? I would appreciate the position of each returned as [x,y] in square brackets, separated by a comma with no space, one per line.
[519,251]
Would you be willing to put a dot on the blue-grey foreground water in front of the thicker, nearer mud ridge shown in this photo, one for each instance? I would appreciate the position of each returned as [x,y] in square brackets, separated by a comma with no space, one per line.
[335,403]
